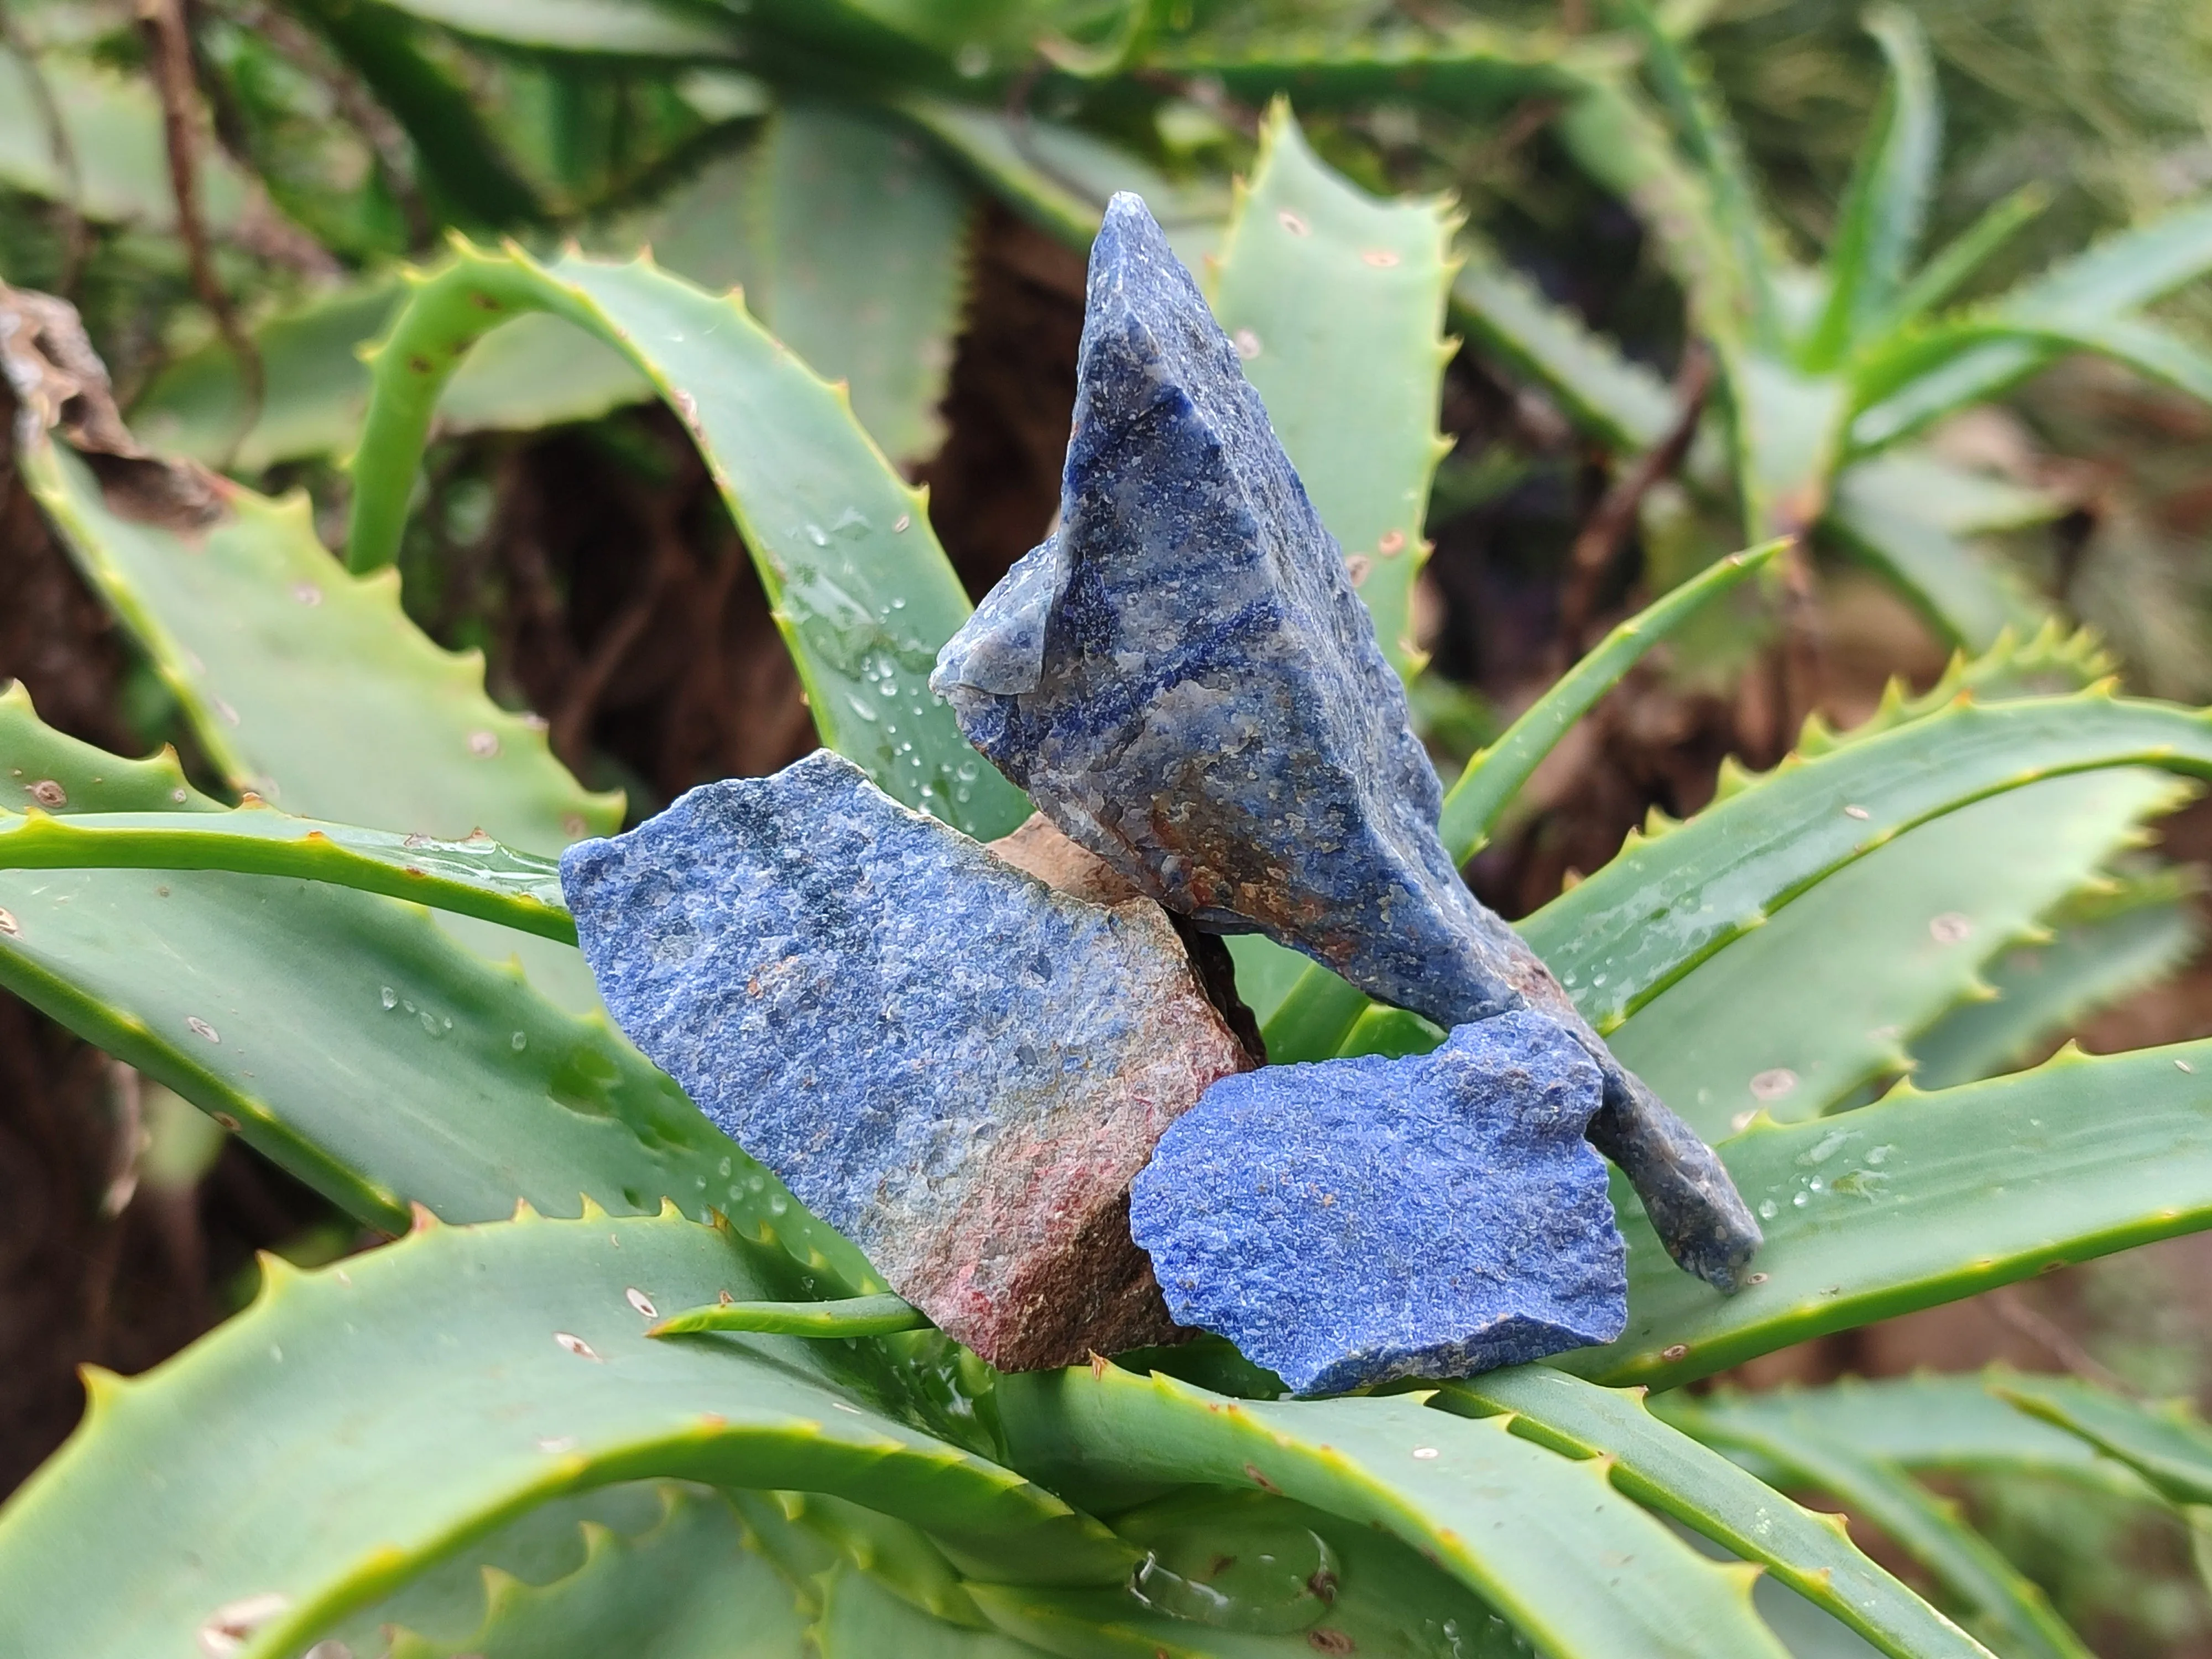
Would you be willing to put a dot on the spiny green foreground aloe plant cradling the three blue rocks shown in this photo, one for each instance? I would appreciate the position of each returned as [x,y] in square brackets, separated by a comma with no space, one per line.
[612,1388]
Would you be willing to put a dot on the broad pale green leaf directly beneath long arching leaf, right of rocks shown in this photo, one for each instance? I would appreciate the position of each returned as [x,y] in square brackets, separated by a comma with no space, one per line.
[1799,1014]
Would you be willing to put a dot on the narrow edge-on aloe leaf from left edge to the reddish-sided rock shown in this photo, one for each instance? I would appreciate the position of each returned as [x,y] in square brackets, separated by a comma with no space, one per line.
[474,877]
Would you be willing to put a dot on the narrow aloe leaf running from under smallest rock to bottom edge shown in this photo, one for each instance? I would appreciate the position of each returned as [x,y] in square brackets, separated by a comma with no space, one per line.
[1665,1470]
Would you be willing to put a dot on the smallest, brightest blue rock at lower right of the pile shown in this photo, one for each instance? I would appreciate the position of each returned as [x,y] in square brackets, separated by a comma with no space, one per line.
[1366,1220]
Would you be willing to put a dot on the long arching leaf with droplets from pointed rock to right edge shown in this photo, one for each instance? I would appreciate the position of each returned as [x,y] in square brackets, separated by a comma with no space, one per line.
[1669,904]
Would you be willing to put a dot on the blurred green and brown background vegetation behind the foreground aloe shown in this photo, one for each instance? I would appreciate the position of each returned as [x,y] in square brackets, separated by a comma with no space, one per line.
[229,194]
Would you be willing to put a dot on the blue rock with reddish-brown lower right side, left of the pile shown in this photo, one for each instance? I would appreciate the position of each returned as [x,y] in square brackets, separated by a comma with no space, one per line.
[946,1058]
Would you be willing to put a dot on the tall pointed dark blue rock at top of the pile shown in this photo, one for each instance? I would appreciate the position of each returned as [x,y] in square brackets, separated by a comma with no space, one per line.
[1187,682]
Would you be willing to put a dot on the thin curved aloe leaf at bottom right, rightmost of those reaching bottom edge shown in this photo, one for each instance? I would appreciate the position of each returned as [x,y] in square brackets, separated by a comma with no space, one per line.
[1983,1585]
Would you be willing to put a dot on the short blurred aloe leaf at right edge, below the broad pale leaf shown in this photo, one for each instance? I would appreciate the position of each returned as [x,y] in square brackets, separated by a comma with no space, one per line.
[2103,948]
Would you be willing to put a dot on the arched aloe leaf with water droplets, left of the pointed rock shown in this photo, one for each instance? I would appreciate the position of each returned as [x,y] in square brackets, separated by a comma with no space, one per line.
[857,578]
